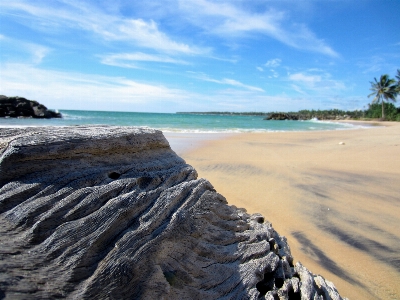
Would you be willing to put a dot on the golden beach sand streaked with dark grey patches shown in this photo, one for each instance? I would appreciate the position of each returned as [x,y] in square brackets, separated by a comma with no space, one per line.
[334,194]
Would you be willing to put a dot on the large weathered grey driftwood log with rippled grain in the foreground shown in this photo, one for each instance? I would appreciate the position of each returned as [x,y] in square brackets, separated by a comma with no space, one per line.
[113,213]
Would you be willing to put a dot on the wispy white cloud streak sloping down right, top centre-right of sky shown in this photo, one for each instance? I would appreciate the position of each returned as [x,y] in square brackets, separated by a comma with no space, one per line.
[227,20]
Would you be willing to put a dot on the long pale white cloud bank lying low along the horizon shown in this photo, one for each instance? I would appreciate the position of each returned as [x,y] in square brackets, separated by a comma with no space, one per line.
[67,90]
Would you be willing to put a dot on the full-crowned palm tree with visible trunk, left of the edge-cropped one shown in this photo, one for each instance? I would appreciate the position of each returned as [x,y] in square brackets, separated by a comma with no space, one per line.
[384,89]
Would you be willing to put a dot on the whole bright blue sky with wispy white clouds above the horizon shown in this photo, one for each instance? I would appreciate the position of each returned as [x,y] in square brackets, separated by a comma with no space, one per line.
[197,55]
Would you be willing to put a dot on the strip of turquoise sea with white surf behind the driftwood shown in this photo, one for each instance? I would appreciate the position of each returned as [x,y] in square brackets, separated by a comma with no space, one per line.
[184,123]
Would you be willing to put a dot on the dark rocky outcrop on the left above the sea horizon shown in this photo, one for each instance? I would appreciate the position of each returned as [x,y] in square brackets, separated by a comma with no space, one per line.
[18,107]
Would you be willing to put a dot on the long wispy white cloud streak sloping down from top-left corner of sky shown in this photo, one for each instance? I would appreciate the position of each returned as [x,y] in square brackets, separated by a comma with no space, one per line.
[111,27]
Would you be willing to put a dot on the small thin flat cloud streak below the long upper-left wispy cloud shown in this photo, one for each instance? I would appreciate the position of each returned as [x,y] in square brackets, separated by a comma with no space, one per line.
[125,59]
